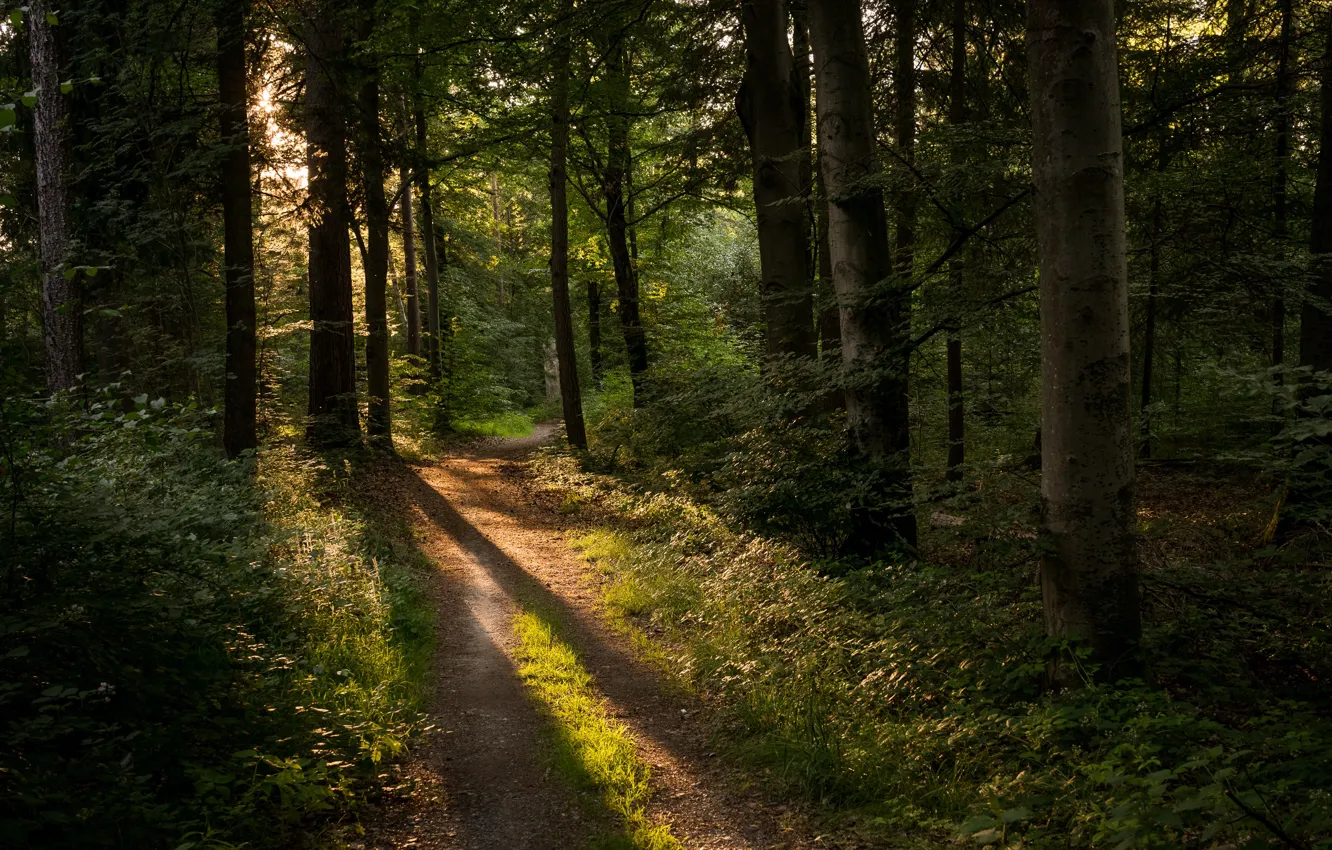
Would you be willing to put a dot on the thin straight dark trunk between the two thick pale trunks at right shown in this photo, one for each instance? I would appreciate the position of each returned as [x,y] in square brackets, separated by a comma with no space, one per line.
[957,279]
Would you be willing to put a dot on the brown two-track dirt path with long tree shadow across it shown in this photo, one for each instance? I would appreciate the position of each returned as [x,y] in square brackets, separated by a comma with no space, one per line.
[483,779]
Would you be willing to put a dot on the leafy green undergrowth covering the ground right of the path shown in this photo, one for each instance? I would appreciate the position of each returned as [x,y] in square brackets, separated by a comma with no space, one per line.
[909,697]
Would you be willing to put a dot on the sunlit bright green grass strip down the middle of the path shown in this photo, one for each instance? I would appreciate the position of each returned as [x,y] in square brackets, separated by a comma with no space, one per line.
[592,748]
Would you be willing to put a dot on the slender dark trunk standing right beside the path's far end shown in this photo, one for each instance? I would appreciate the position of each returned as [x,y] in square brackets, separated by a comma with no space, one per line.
[565,351]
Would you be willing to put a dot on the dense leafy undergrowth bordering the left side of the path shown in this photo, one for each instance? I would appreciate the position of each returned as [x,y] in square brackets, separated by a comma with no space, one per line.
[192,656]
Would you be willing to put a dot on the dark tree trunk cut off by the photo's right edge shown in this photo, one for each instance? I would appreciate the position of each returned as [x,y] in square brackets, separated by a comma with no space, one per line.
[1317,314]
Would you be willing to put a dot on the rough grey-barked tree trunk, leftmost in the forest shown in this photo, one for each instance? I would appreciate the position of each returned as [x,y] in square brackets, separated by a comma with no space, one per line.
[62,295]
